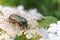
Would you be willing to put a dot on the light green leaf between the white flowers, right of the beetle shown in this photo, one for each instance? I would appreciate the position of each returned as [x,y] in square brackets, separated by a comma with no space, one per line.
[47,21]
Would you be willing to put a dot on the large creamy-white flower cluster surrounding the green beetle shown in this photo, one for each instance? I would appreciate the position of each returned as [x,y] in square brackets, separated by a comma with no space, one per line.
[11,30]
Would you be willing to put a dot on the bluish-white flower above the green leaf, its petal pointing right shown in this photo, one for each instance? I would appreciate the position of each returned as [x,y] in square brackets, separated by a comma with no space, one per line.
[35,14]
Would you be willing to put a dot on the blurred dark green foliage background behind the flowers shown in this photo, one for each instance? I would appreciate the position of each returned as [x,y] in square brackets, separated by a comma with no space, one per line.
[45,7]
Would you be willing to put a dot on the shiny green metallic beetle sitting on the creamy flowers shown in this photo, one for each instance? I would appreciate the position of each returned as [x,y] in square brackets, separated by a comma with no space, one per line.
[21,21]
